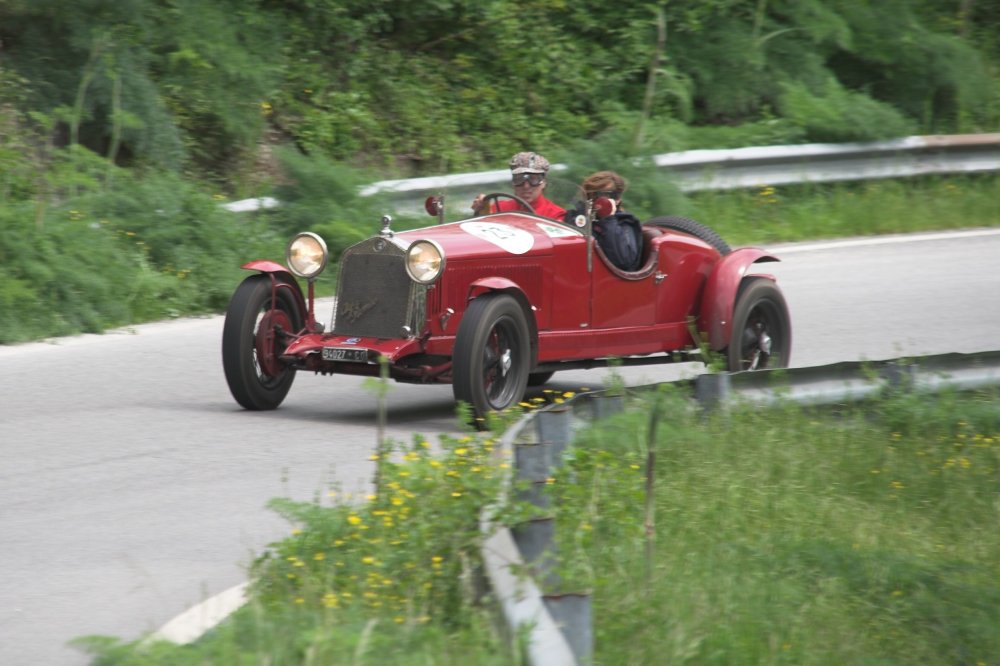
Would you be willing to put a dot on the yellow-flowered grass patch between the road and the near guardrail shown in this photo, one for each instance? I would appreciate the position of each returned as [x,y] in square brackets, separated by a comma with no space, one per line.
[391,578]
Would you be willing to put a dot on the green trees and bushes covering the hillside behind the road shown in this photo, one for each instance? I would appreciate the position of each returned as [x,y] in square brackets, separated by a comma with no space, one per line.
[124,123]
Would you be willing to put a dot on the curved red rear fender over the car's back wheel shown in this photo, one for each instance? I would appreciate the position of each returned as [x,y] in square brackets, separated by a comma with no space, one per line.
[715,316]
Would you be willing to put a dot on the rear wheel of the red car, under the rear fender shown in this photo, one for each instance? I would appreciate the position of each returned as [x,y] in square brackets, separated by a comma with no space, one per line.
[762,329]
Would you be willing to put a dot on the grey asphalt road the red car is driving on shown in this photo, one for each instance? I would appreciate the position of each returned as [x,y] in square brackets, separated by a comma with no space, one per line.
[133,487]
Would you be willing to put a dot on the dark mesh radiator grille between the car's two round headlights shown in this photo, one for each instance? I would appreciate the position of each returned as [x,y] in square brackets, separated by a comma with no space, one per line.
[375,296]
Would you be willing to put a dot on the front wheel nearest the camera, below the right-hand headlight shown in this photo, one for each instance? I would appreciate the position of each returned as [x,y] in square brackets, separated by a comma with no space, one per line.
[492,354]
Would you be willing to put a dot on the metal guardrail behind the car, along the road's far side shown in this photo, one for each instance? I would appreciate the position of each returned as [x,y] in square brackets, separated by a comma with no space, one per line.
[697,170]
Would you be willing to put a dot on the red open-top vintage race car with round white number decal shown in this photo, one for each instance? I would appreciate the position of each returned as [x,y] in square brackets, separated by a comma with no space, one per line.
[495,303]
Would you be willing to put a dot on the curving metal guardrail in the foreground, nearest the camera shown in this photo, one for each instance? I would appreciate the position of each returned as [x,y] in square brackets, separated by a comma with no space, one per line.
[523,604]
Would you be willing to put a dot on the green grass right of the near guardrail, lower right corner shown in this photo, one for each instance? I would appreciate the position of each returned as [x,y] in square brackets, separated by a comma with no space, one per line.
[866,535]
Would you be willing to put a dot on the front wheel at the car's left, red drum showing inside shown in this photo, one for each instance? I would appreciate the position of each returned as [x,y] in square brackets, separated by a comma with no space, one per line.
[256,378]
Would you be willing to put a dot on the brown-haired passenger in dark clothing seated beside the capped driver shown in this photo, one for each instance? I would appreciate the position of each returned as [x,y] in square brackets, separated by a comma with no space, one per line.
[618,232]
